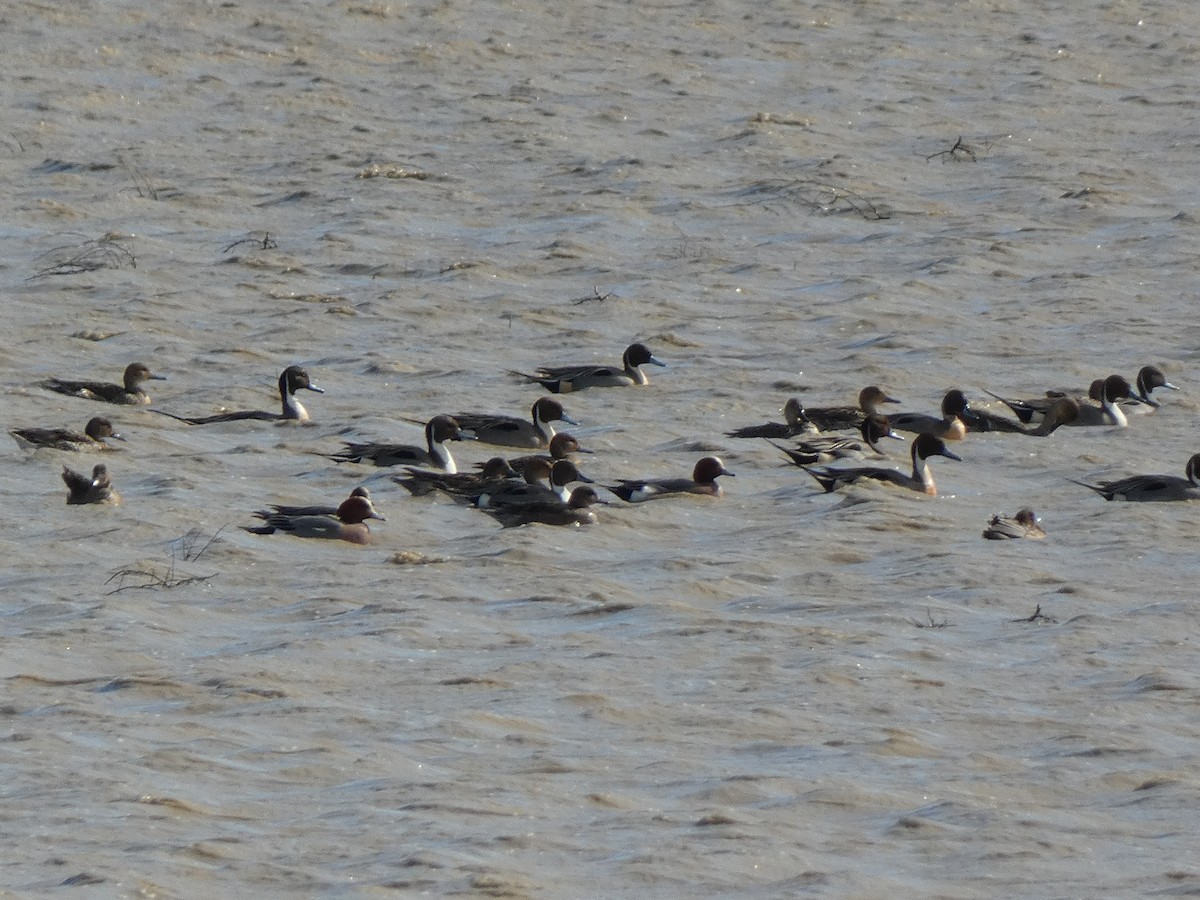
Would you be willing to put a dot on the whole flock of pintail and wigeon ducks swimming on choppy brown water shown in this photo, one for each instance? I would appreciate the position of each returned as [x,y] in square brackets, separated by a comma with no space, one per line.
[537,488]
